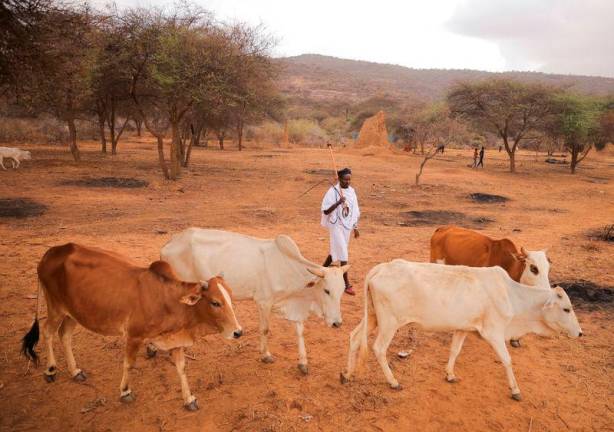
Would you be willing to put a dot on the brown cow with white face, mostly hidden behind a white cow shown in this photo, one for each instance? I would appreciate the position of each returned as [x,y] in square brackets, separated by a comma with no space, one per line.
[460,246]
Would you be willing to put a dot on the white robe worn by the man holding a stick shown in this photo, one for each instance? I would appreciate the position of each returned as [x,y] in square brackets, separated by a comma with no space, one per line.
[340,226]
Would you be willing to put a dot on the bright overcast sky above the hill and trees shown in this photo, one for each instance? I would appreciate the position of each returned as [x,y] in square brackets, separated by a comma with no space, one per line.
[561,36]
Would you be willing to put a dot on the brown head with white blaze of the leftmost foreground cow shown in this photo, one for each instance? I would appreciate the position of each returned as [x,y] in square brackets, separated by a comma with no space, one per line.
[212,302]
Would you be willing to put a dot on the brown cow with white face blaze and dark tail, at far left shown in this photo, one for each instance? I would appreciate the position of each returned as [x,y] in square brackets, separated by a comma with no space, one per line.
[108,295]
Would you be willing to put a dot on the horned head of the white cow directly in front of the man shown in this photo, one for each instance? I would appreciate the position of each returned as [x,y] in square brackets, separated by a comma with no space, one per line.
[329,288]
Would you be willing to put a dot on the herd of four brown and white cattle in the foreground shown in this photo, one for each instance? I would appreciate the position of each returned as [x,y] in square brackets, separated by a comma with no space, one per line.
[473,284]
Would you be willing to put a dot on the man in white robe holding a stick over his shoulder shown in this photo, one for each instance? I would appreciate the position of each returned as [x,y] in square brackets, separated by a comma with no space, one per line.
[340,214]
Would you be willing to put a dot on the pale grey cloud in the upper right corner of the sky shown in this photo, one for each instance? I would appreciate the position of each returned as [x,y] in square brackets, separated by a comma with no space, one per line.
[559,36]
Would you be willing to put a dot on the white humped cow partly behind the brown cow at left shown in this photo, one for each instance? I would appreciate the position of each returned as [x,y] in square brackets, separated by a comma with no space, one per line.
[271,272]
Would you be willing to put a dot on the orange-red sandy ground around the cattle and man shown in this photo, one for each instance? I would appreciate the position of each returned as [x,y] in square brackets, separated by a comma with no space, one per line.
[566,384]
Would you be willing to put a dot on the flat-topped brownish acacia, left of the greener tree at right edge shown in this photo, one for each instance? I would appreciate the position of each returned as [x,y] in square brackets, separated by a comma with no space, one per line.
[510,109]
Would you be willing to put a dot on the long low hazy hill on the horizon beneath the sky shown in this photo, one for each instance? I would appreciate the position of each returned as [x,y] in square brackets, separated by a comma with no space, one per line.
[314,79]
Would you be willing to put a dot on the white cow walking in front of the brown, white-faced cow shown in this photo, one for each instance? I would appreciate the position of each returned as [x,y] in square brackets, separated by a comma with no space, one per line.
[460,299]
